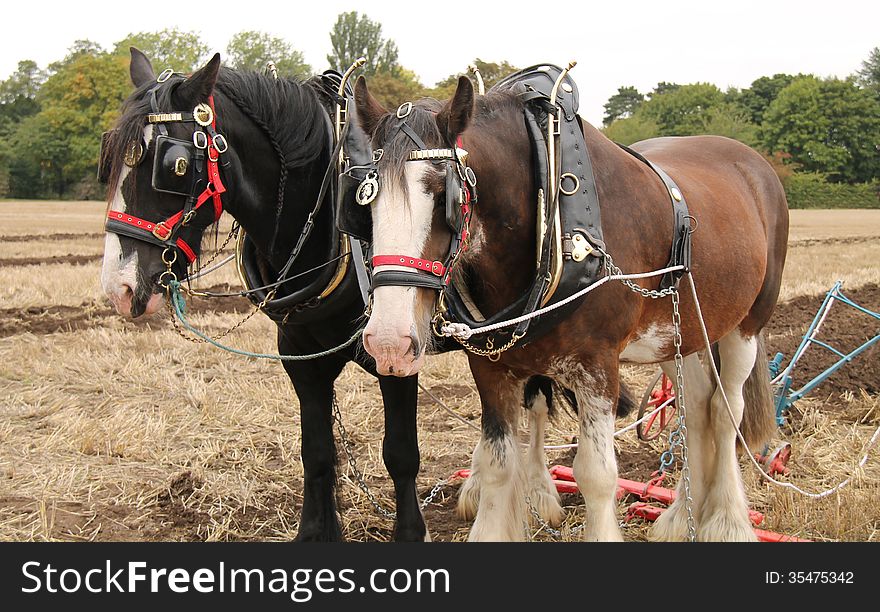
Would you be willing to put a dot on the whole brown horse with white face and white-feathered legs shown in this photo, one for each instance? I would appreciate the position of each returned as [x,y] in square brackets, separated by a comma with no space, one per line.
[738,254]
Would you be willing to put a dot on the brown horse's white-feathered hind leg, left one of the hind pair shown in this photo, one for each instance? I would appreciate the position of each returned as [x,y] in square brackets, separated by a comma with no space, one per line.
[672,524]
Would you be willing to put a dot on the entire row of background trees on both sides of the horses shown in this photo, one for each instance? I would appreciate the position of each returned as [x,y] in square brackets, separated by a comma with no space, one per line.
[51,118]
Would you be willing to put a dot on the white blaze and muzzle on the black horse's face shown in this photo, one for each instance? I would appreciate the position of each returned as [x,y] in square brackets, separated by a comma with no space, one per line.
[119,276]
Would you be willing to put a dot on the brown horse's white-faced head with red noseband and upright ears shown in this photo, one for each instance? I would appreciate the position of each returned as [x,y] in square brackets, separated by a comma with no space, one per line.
[420,218]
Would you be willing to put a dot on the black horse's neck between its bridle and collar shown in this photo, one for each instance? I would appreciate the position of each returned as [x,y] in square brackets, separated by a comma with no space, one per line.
[253,188]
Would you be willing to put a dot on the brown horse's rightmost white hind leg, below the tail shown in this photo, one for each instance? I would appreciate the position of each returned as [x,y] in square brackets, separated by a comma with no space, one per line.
[725,514]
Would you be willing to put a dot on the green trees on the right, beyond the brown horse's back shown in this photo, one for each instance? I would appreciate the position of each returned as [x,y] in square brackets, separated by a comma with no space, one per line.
[813,130]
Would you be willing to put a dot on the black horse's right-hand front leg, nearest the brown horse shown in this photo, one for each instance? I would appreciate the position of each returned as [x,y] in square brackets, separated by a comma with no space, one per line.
[400,450]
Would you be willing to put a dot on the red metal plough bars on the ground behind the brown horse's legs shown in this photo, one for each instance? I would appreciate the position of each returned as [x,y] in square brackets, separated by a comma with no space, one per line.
[563,480]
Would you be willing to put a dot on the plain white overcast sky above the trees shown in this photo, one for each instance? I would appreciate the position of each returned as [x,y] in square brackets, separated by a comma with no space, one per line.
[630,42]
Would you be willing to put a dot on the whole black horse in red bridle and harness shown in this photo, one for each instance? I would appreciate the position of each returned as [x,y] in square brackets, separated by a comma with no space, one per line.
[261,149]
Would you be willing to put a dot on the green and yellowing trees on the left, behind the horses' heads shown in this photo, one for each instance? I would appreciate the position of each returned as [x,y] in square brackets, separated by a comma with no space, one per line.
[51,118]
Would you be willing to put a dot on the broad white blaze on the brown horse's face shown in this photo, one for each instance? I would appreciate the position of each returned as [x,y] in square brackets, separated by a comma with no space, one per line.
[400,227]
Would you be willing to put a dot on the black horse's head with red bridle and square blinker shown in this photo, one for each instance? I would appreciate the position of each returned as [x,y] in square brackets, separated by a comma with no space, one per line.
[156,162]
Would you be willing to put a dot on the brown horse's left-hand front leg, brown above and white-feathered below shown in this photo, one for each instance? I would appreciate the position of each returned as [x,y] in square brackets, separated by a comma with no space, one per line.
[496,461]
